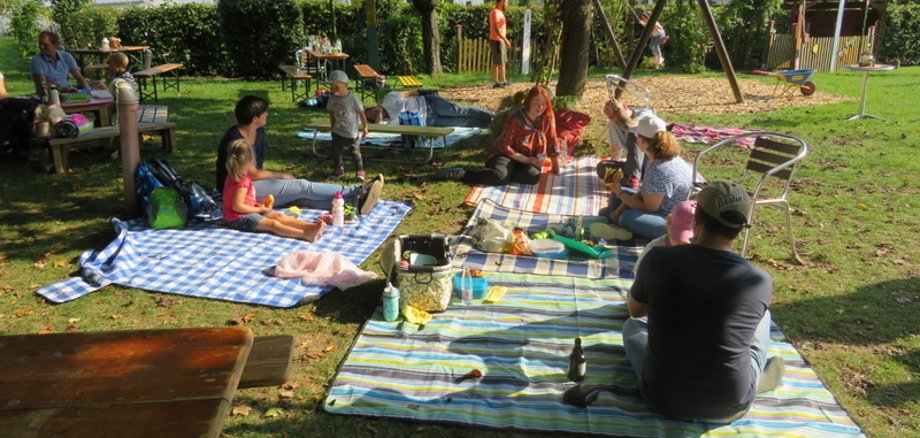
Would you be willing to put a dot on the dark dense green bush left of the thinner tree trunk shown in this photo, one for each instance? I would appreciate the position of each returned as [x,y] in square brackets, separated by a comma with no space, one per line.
[258,34]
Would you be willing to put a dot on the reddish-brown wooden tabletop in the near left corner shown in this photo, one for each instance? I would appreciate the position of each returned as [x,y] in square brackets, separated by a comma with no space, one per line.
[156,383]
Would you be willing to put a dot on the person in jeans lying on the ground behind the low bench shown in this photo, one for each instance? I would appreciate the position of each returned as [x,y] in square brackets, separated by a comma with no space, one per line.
[433,110]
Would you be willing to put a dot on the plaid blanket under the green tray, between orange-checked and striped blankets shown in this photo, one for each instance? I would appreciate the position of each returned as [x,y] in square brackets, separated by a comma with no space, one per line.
[620,264]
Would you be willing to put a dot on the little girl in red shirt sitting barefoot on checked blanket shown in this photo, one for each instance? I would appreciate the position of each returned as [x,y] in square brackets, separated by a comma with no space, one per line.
[242,211]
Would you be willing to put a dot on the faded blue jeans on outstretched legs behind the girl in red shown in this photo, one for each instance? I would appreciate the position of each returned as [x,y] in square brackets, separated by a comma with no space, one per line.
[305,193]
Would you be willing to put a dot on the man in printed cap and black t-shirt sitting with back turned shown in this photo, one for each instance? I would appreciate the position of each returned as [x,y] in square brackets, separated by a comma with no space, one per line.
[699,322]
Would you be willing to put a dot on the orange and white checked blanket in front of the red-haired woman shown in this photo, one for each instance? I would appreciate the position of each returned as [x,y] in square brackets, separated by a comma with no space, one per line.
[576,190]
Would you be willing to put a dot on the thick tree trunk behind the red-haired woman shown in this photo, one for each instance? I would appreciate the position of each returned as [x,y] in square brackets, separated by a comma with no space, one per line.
[576,34]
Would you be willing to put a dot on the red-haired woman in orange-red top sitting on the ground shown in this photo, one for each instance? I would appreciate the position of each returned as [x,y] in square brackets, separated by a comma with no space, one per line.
[517,156]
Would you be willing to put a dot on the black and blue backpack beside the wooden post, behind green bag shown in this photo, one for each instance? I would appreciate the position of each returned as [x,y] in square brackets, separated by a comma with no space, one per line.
[200,205]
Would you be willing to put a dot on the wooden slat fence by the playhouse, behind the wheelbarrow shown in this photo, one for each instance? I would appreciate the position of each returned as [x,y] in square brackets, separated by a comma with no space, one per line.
[816,52]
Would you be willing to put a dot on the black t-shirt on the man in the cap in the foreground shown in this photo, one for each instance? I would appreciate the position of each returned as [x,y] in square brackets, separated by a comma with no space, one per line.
[704,306]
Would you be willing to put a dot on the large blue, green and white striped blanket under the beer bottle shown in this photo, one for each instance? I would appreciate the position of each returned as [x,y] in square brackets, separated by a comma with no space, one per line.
[521,346]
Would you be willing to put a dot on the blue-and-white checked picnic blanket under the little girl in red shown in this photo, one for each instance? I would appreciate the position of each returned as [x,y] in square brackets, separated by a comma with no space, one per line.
[211,261]
